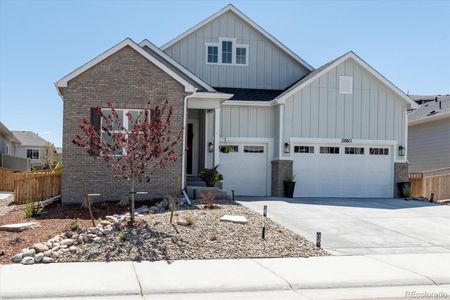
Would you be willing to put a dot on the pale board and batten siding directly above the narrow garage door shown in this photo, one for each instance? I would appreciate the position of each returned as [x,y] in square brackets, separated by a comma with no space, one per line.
[247,121]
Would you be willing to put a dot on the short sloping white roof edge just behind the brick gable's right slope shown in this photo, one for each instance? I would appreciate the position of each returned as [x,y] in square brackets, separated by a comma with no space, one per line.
[175,66]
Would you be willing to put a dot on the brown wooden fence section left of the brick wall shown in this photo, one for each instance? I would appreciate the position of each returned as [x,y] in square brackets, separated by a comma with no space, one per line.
[36,186]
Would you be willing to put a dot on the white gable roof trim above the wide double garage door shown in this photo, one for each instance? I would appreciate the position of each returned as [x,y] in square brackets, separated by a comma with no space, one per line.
[334,63]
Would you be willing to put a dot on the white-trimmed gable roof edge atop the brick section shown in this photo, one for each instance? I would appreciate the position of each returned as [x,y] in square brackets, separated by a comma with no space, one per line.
[127,42]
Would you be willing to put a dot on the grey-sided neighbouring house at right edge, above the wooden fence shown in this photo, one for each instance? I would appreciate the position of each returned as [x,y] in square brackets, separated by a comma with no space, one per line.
[429,134]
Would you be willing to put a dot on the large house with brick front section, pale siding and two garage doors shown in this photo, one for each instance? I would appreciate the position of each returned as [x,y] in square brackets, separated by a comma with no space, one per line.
[340,128]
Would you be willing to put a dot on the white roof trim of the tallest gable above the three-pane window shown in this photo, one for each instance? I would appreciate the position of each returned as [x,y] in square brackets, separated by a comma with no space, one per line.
[249,21]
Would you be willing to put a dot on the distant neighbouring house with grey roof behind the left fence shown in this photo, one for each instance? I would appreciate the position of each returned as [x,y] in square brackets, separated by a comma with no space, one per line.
[33,147]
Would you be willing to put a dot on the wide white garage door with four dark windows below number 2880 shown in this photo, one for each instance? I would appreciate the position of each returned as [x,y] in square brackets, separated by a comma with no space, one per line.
[343,170]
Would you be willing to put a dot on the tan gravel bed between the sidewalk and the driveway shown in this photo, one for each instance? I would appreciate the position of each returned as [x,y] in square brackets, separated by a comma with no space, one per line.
[205,238]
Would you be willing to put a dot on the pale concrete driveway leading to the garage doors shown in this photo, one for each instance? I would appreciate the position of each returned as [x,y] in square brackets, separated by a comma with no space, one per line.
[362,226]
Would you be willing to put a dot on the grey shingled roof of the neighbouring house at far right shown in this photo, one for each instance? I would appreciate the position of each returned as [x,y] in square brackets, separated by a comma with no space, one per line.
[433,110]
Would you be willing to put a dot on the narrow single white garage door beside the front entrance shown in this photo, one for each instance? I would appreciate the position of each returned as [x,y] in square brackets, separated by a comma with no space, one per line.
[244,168]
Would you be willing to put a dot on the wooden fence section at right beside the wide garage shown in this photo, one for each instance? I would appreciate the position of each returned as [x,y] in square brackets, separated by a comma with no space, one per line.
[423,184]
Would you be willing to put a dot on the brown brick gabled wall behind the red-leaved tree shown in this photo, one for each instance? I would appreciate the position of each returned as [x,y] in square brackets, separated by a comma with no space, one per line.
[127,80]
